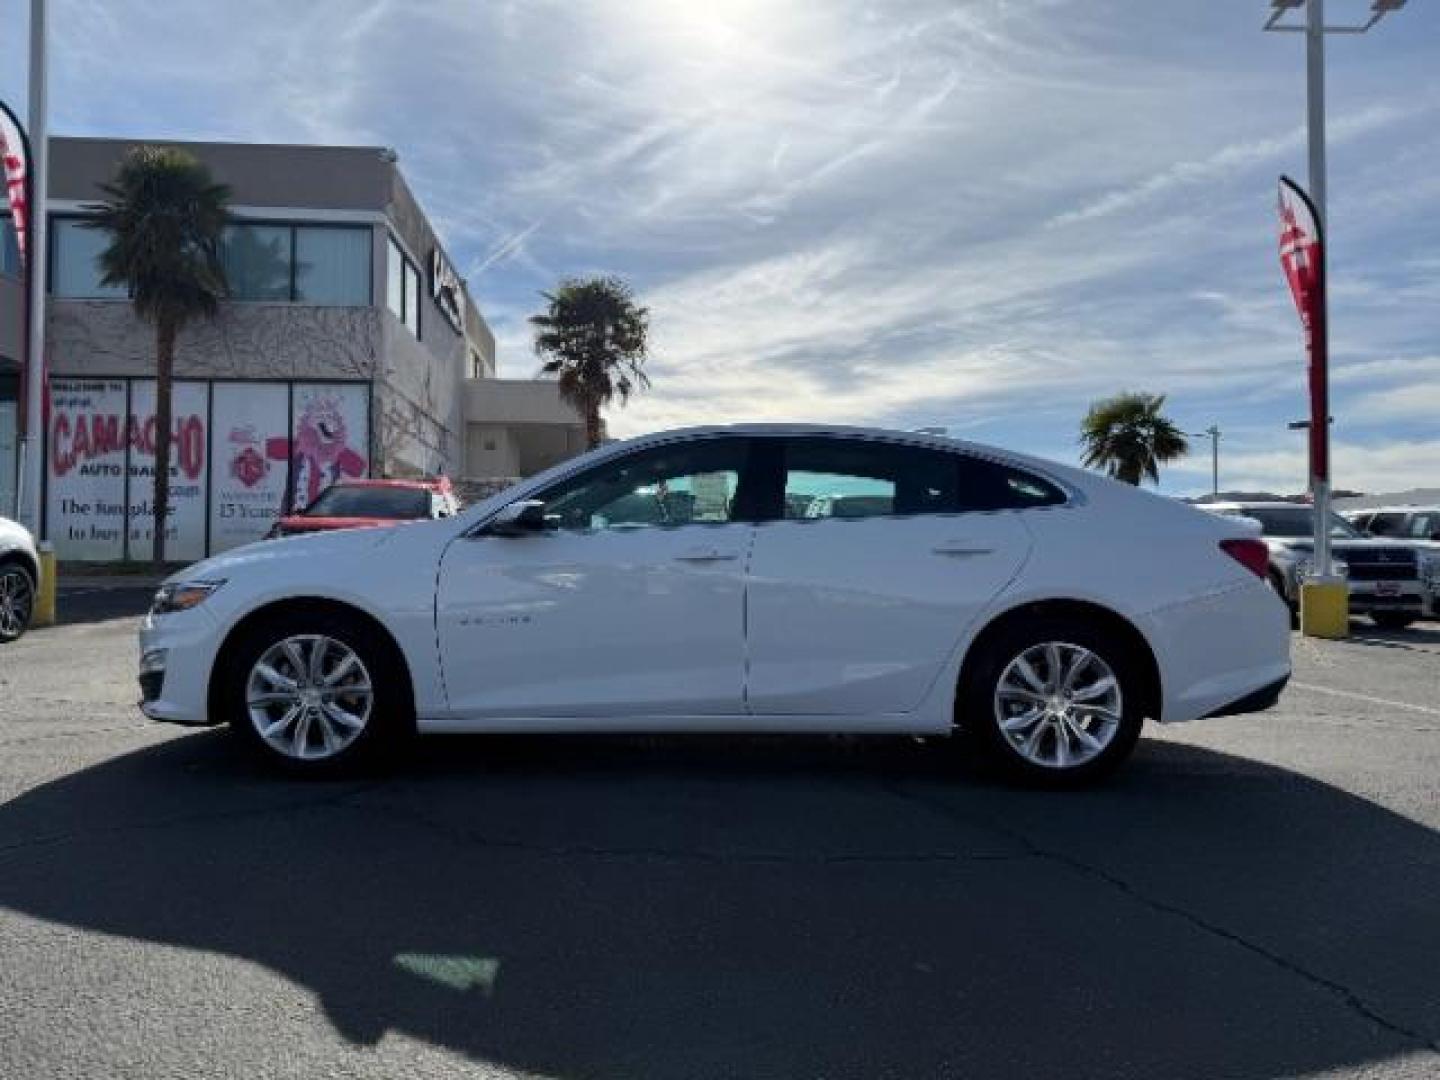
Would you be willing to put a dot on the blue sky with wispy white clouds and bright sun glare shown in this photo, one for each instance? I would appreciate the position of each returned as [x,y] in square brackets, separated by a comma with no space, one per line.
[928,212]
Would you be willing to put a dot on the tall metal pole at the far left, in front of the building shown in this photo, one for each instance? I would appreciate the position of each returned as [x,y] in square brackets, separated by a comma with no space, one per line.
[37,258]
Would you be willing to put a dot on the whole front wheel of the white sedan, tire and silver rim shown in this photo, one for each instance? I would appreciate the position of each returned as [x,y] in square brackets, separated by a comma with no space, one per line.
[316,695]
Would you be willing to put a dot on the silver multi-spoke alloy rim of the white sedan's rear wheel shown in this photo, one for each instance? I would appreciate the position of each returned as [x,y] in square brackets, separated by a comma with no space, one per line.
[1059,705]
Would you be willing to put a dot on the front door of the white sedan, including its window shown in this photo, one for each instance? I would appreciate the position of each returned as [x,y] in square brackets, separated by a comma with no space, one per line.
[631,604]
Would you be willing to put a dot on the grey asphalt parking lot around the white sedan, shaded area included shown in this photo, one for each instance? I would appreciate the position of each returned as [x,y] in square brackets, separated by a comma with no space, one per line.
[1252,898]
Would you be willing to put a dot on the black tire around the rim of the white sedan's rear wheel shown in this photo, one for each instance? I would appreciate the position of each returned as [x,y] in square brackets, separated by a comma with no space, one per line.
[977,701]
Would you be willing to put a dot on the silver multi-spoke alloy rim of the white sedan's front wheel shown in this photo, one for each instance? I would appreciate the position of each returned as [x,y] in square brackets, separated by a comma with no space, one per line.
[309,698]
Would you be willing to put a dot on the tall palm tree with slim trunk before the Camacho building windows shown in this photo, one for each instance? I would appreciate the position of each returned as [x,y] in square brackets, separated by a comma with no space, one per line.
[166,217]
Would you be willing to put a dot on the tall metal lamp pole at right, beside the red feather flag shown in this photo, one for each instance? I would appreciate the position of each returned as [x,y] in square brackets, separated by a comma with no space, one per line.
[1320,431]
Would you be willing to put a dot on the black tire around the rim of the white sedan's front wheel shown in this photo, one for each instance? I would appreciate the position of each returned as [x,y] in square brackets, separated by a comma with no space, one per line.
[391,722]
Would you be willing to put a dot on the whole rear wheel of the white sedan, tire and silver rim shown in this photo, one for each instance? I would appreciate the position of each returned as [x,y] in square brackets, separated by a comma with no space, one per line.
[1055,702]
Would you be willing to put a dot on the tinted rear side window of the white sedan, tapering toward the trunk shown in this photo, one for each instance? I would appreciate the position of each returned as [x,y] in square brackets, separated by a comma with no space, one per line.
[855,479]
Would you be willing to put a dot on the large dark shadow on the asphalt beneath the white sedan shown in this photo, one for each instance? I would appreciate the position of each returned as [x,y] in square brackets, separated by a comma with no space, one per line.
[748,908]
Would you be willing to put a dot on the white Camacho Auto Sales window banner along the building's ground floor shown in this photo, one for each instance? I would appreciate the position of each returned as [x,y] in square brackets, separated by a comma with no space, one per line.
[237,449]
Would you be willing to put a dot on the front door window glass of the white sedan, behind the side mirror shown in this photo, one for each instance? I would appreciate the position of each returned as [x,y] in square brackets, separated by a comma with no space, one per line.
[686,485]
